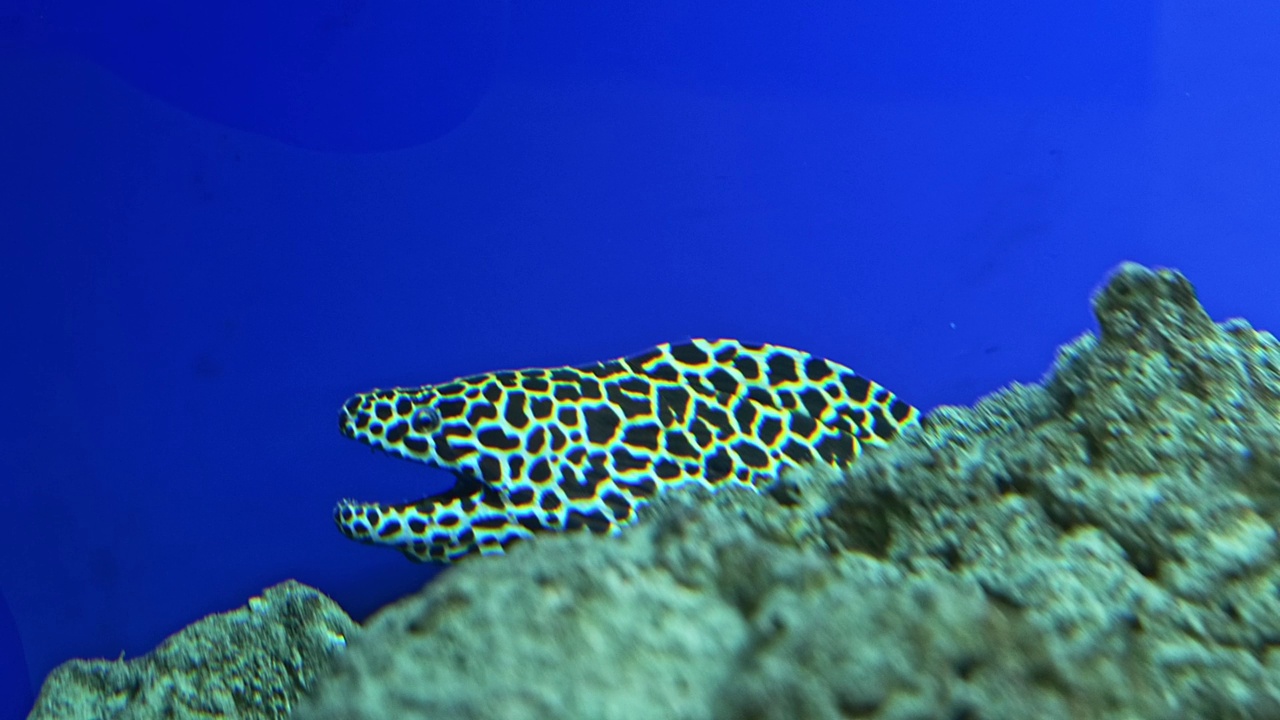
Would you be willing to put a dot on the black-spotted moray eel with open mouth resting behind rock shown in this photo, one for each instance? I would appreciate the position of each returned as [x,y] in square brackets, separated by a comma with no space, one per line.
[563,449]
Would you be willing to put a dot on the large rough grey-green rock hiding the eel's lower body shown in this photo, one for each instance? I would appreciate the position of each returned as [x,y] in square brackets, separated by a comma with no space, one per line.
[1101,545]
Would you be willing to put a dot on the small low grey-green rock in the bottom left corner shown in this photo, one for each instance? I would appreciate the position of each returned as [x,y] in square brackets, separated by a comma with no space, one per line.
[248,664]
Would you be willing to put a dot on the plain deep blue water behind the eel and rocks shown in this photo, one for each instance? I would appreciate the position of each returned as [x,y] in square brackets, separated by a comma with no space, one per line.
[218,224]
